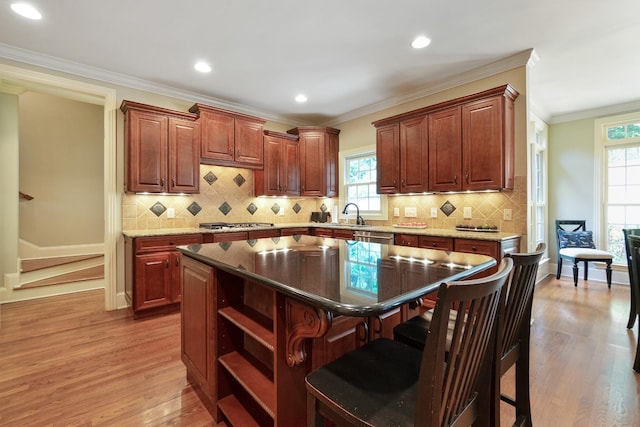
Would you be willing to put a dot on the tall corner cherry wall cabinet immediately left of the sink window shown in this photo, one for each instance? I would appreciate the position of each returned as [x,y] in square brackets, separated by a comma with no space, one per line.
[318,160]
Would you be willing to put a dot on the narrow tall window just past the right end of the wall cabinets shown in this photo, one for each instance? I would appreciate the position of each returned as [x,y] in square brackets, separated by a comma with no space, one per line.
[538,184]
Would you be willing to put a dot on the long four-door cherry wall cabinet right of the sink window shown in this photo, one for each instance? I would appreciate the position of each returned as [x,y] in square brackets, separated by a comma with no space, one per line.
[470,144]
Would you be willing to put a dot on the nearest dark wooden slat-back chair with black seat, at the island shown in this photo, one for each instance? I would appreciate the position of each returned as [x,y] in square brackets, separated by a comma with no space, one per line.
[386,382]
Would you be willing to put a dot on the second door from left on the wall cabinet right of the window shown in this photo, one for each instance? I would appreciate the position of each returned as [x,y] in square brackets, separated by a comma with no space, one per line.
[413,155]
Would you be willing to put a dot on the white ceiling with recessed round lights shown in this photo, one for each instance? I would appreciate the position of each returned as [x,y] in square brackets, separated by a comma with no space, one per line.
[350,57]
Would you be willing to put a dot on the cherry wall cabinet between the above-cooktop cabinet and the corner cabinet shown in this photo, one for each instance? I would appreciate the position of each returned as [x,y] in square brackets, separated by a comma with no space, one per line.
[281,173]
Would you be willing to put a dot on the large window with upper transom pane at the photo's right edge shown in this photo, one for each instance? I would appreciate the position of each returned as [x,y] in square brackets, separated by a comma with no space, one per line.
[619,149]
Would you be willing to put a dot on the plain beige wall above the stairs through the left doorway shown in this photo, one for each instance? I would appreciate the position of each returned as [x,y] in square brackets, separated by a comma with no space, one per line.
[61,166]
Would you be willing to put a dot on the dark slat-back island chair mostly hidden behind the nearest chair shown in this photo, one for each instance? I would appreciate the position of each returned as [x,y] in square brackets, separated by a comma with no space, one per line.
[513,337]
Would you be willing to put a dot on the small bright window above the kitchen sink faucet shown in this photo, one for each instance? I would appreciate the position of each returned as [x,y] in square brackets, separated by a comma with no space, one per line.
[360,175]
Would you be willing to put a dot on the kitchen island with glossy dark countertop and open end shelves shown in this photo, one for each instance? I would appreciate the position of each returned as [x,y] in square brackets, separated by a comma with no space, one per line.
[258,315]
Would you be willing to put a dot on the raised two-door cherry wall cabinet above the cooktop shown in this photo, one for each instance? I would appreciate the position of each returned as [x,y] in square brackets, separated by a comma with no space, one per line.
[230,139]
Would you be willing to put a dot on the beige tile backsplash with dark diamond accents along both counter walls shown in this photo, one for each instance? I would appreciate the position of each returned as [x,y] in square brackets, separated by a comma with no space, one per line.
[226,195]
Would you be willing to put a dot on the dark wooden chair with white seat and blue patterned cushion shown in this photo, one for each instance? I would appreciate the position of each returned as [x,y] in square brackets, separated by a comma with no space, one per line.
[575,243]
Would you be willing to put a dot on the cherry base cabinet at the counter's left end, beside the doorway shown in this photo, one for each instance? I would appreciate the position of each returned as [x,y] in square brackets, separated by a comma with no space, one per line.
[152,274]
